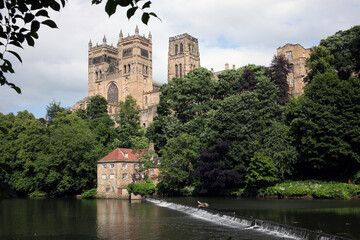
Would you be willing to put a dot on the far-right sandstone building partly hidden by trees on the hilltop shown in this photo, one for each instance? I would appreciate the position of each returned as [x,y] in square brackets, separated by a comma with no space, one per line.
[296,54]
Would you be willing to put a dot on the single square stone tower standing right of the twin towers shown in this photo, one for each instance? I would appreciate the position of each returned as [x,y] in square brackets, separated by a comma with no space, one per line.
[183,55]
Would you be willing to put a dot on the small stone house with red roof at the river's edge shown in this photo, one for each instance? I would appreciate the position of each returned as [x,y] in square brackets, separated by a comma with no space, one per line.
[119,168]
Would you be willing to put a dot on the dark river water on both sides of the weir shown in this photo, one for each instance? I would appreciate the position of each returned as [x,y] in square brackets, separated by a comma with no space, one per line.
[122,219]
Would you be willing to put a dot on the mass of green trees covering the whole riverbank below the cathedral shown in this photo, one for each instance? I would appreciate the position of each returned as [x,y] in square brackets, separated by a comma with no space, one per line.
[238,135]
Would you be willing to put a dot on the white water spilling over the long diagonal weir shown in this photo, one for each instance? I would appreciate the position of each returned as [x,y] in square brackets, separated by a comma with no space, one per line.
[244,223]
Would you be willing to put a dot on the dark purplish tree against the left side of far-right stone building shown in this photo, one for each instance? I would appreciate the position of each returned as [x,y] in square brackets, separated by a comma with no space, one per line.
[279,70]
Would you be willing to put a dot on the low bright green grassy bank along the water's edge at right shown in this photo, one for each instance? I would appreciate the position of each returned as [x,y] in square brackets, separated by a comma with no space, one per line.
[312,189]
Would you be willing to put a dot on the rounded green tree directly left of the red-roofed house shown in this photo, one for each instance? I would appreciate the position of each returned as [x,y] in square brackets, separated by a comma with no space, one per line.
[69,164]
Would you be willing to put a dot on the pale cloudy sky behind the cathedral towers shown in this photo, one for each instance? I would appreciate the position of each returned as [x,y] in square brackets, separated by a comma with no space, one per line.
[229,31]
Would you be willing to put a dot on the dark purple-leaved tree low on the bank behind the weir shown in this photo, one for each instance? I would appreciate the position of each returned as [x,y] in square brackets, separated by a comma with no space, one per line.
[213,174]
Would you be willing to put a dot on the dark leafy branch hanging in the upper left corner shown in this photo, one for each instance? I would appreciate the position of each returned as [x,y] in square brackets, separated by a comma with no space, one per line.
[20,22]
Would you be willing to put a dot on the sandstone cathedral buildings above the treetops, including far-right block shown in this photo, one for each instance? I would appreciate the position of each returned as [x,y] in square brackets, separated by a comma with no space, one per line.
[115,72]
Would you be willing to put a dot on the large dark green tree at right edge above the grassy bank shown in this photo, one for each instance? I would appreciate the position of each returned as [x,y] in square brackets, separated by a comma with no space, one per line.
[326,127]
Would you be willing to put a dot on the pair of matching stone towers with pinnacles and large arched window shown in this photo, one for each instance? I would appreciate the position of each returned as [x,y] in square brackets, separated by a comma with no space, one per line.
[115,72]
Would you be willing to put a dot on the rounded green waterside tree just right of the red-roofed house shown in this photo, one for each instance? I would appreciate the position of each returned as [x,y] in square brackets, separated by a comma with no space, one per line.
[179,158]
